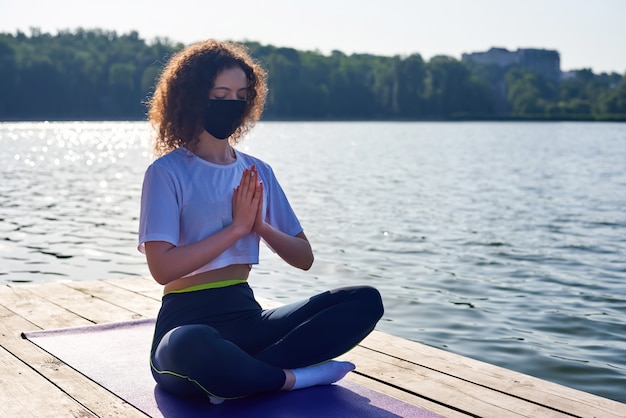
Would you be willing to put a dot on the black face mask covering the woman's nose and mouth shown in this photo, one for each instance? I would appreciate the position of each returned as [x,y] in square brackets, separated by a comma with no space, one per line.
[222,117]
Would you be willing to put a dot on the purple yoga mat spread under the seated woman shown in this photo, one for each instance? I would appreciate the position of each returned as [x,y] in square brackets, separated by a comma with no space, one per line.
[116,356]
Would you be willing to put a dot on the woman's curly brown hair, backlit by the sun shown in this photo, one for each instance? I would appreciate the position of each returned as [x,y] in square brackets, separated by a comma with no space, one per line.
[182,91]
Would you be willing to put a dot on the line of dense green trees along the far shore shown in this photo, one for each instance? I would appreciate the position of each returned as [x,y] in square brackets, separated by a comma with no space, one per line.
[100,75]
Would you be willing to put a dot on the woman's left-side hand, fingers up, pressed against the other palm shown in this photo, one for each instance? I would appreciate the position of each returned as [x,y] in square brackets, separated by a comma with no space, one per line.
[247,201]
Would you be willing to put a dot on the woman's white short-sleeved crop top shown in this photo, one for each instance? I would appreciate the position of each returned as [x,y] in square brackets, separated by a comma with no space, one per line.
[185,199]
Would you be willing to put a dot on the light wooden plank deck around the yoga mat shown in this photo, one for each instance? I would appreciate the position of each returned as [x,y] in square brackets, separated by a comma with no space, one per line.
[33,383]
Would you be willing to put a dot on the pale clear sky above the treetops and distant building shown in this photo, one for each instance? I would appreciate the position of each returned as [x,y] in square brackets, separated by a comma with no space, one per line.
[586,34]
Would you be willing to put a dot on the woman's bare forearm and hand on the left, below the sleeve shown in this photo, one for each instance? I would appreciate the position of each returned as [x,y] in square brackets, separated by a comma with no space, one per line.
[168,262]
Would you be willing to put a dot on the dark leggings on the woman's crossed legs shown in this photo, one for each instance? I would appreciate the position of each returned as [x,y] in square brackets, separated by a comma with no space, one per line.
[222,343]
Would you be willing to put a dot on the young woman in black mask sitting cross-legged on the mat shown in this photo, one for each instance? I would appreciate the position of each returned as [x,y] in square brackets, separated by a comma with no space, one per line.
[204,208]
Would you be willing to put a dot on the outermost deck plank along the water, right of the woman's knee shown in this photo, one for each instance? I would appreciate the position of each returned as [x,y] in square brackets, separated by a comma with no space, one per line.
[507,381]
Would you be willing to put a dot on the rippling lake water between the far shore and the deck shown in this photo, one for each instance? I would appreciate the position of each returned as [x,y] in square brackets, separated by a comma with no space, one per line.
[504,242]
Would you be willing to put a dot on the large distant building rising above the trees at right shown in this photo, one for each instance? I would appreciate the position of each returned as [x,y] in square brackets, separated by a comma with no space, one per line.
[544,62]
